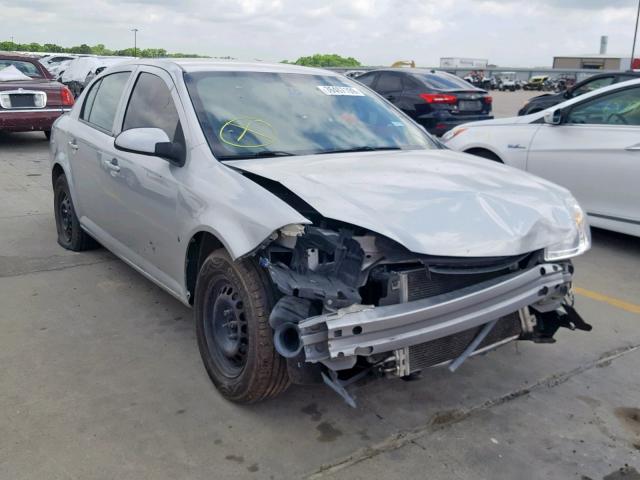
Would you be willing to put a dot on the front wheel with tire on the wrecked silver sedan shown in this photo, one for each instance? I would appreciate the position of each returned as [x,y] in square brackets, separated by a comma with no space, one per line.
[232,303]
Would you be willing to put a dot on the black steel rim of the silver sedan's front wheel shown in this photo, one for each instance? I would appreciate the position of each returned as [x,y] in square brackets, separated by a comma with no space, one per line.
[225,328]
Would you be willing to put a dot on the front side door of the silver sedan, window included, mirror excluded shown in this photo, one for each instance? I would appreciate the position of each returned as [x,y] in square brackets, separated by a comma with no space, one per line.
[146,187]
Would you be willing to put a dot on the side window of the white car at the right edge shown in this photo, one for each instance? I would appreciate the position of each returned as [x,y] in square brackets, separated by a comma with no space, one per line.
[618,108]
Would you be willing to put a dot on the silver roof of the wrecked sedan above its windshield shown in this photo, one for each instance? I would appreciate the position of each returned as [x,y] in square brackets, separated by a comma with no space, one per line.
[210,65]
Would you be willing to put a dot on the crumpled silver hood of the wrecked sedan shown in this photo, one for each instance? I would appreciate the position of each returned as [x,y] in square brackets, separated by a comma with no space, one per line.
[435,202]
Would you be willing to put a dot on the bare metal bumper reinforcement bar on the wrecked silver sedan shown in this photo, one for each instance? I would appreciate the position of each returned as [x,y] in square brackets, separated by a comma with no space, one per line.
[336,339]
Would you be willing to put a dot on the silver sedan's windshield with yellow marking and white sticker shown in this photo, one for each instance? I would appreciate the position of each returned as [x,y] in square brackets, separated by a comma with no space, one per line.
[254,114]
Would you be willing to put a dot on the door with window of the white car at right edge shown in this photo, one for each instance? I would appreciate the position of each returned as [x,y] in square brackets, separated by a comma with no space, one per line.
[595,154]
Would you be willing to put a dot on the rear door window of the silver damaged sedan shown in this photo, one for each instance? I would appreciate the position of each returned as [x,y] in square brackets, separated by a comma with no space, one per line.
[102,101]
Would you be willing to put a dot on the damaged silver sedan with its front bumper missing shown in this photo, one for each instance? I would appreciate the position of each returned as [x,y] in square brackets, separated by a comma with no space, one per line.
[319,234]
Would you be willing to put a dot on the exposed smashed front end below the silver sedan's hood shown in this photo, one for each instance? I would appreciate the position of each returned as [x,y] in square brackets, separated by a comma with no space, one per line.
[355,303]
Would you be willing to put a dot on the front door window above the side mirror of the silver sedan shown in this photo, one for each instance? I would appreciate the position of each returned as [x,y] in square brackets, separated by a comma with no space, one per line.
[151,106]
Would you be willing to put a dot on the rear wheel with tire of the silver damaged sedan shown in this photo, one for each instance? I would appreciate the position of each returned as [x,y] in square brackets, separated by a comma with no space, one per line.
[70,234]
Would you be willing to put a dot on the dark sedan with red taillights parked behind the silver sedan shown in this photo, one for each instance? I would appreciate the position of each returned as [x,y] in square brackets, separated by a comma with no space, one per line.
[436,100]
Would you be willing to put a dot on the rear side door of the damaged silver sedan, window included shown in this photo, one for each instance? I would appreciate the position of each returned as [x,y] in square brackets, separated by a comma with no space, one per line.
[90,147]
